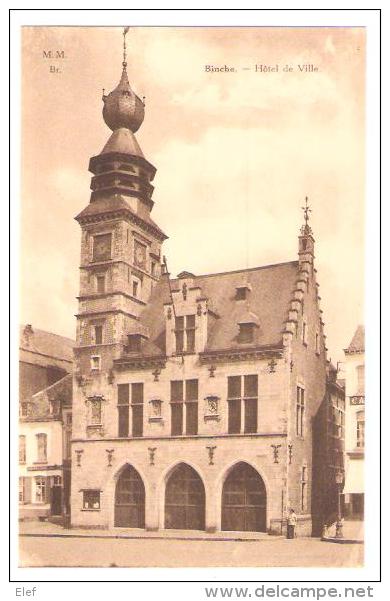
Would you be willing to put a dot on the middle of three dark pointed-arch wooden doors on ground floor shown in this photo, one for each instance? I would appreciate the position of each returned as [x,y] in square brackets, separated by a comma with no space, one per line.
[185,505]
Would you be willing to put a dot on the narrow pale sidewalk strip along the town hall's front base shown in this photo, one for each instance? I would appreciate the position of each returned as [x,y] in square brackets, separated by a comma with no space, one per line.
[48,529]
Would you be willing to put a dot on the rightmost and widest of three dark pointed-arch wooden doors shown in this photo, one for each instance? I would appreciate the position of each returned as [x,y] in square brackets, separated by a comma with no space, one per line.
[244,500]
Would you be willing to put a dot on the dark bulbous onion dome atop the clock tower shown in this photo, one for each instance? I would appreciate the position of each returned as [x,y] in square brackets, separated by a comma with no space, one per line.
[122,107]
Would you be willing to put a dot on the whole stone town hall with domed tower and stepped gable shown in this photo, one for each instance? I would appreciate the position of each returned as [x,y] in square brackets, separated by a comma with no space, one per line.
[194,396]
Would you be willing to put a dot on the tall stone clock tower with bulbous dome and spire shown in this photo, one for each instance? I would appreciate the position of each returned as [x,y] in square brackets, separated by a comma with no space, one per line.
[120,243]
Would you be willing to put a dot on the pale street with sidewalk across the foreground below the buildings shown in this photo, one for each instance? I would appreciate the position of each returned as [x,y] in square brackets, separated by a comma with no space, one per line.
[95,549]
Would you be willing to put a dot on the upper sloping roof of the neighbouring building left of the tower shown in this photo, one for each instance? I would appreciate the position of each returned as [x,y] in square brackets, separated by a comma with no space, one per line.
[45,348]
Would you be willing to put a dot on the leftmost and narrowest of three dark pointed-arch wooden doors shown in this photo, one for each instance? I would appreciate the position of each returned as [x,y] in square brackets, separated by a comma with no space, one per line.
[129,499]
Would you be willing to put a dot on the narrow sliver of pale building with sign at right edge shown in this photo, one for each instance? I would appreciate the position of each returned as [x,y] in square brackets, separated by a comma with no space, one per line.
[354,425]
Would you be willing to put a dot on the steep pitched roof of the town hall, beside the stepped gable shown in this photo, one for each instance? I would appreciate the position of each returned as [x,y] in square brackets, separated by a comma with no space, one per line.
[271,290]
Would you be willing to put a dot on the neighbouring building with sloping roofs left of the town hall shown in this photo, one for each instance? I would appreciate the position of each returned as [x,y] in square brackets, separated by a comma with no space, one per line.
[45,423]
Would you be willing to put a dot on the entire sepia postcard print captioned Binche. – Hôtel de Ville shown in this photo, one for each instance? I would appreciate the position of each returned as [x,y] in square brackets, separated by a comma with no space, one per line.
[192,297]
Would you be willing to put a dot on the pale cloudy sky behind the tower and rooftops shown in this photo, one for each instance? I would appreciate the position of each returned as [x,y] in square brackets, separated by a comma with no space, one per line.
[236,153]
